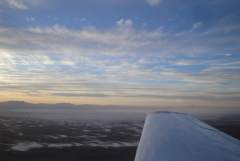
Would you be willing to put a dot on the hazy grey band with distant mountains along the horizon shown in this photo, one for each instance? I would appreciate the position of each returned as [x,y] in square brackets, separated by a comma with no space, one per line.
[70,111]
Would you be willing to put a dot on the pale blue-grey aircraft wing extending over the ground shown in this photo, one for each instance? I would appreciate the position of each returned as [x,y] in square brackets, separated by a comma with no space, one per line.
[169,136]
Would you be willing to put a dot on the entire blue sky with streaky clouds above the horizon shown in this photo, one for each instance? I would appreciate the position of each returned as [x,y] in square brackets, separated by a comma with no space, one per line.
[163,53]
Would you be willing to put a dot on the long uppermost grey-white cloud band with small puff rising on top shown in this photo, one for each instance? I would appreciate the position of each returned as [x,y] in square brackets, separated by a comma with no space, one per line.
[124,39]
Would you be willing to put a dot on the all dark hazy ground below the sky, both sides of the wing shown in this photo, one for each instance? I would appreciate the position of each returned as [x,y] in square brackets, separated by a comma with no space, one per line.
[41,133]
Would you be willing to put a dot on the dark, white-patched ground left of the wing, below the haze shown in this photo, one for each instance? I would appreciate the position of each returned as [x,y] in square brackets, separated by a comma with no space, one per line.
[23,139]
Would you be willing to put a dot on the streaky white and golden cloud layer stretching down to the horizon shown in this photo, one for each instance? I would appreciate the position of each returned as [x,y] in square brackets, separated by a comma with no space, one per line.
[127,63]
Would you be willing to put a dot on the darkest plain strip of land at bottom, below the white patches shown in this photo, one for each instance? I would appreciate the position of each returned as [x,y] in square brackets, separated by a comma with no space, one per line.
[72,154]
